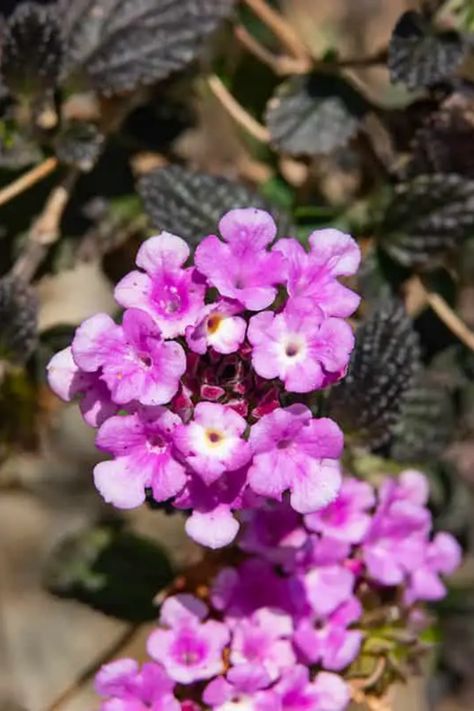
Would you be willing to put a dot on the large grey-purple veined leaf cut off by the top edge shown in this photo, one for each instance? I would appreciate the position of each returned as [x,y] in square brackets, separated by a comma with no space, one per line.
[120,44]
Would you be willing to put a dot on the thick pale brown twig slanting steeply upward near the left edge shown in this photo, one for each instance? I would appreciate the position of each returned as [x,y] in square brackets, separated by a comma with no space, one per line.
[45,229]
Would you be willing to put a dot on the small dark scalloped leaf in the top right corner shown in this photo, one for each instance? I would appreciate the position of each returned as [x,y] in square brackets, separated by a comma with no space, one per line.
[419,55]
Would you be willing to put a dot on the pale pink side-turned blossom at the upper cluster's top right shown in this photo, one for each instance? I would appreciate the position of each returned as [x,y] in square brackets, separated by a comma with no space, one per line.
[312,278]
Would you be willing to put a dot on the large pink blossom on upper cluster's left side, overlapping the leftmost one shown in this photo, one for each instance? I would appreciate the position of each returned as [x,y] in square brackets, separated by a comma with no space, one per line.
[136,364]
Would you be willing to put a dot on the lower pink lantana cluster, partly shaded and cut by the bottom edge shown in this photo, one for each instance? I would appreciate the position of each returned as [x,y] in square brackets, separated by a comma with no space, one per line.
[278,631]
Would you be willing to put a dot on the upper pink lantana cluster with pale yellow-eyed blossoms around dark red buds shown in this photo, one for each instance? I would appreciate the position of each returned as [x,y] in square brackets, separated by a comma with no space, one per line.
[188,391]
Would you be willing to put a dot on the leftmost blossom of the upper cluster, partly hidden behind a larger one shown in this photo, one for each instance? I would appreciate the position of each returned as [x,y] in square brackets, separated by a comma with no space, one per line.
[68,381]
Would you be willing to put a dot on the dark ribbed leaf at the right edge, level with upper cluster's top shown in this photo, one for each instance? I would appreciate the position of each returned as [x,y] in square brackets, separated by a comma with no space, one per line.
[428,217]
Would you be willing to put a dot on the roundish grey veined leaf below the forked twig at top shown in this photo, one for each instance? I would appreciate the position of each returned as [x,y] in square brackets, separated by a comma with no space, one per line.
[314,114]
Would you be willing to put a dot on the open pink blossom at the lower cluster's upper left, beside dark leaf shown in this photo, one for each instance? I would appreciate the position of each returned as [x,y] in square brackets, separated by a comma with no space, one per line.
[188,648]
